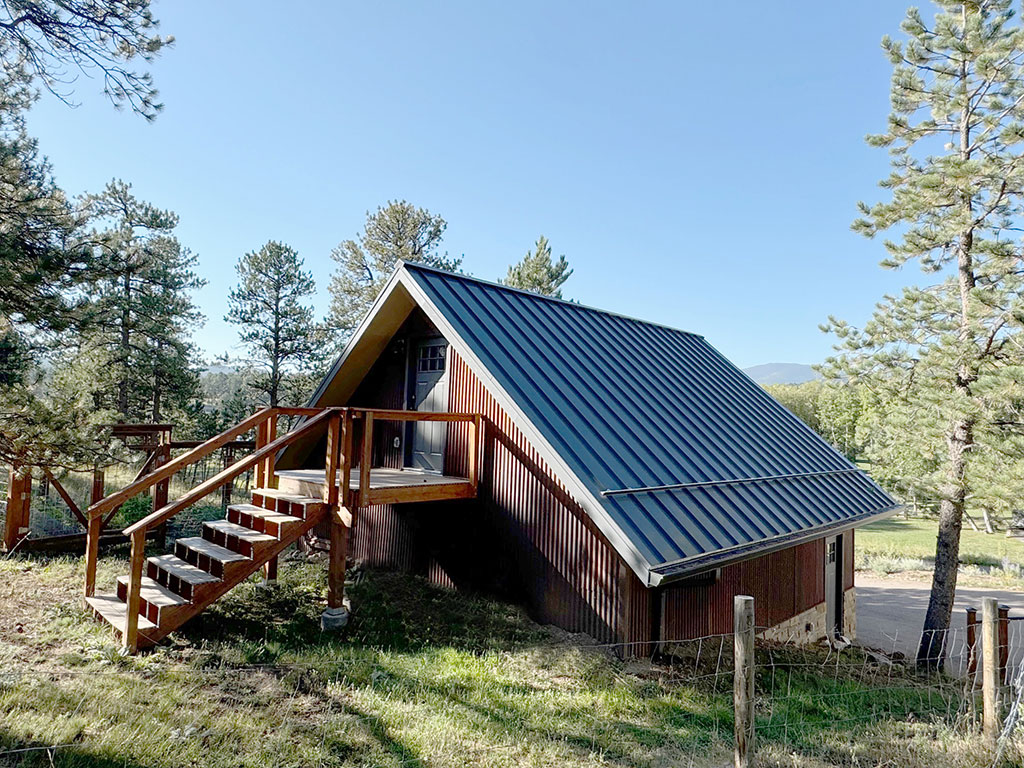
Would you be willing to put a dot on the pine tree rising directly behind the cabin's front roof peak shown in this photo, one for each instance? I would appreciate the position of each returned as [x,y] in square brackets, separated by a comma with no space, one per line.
[398,231]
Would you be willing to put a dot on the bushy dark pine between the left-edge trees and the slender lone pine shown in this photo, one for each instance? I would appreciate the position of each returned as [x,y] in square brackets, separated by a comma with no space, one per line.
[142,308]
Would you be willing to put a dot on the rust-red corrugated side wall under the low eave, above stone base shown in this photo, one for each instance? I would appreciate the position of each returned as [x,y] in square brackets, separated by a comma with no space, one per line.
[783,584]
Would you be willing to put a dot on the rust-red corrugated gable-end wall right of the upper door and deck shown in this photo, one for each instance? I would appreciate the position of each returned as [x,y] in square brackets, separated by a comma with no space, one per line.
[552,557]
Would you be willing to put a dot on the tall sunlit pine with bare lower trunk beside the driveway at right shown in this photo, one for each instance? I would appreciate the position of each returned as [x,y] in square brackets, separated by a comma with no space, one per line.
[944,359]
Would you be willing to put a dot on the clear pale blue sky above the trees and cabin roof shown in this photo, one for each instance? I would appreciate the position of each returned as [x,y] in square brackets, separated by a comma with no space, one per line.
[698,164]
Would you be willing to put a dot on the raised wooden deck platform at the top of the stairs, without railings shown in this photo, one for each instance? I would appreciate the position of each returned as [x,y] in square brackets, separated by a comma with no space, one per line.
[387,486]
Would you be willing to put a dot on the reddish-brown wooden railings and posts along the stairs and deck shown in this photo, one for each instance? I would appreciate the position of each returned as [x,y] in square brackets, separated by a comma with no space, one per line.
[339,459]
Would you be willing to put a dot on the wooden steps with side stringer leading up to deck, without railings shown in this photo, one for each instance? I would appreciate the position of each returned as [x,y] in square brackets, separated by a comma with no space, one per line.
[177,587]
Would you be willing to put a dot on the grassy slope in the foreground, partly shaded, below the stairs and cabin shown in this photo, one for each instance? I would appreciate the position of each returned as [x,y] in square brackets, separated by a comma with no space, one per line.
[422,677]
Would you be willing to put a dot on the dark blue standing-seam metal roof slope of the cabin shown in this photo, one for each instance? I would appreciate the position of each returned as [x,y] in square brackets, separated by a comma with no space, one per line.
[630,405]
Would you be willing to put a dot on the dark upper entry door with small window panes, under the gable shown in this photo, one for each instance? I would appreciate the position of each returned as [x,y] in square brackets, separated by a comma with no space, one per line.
[430,394]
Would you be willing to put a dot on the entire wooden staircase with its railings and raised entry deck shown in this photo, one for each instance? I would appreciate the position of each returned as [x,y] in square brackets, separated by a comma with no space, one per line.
[163,592]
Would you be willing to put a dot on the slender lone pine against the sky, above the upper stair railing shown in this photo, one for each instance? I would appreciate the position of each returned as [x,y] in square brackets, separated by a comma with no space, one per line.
[276,323]
